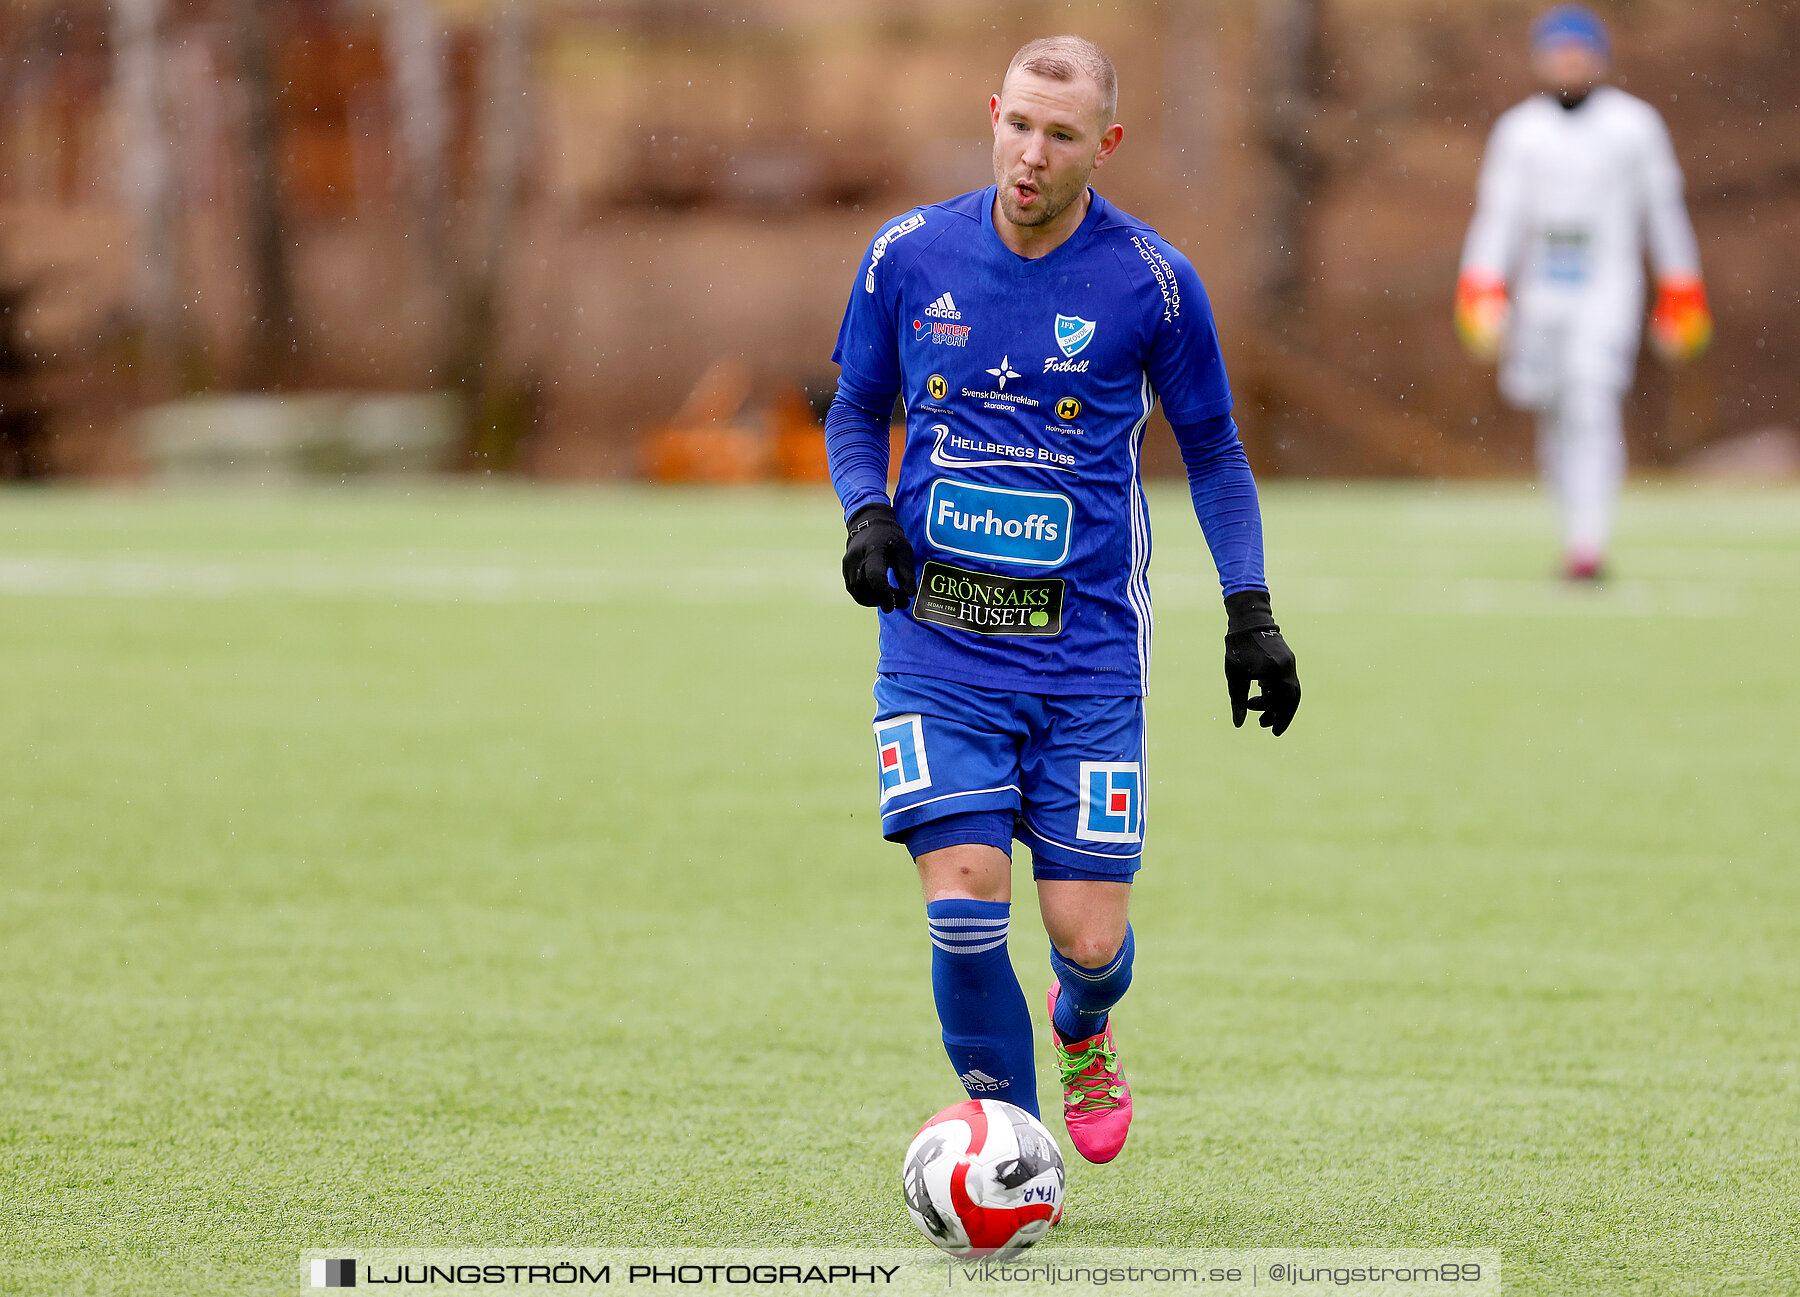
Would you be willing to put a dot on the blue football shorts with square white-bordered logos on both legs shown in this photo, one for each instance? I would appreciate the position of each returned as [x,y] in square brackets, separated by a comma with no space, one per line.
[1066,771]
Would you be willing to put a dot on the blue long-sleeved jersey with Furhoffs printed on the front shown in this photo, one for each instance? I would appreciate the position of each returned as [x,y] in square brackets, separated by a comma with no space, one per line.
[1029,386]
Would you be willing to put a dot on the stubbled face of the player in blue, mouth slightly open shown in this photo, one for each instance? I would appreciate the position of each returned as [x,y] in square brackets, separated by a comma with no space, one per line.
[1045,141]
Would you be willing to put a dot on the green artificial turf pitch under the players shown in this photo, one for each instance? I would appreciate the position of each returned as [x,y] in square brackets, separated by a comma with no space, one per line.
[453,866]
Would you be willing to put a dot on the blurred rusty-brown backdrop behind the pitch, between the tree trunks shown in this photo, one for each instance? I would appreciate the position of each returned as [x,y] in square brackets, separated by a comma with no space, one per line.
[705,177]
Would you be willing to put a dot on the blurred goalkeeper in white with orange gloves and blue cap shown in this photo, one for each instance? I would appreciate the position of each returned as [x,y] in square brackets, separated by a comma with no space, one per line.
[1574,184]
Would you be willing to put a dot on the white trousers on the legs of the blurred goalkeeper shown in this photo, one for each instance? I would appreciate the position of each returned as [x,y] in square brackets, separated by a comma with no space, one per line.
[1581,456]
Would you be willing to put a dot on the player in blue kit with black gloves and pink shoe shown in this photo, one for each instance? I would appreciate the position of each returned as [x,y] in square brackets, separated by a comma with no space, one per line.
[1030,328]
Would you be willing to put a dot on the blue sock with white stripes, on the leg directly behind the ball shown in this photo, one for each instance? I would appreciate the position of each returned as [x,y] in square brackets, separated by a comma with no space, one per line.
[987,1028]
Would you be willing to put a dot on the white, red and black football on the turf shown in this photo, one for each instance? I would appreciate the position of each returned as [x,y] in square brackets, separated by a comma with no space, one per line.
[984,1179]
